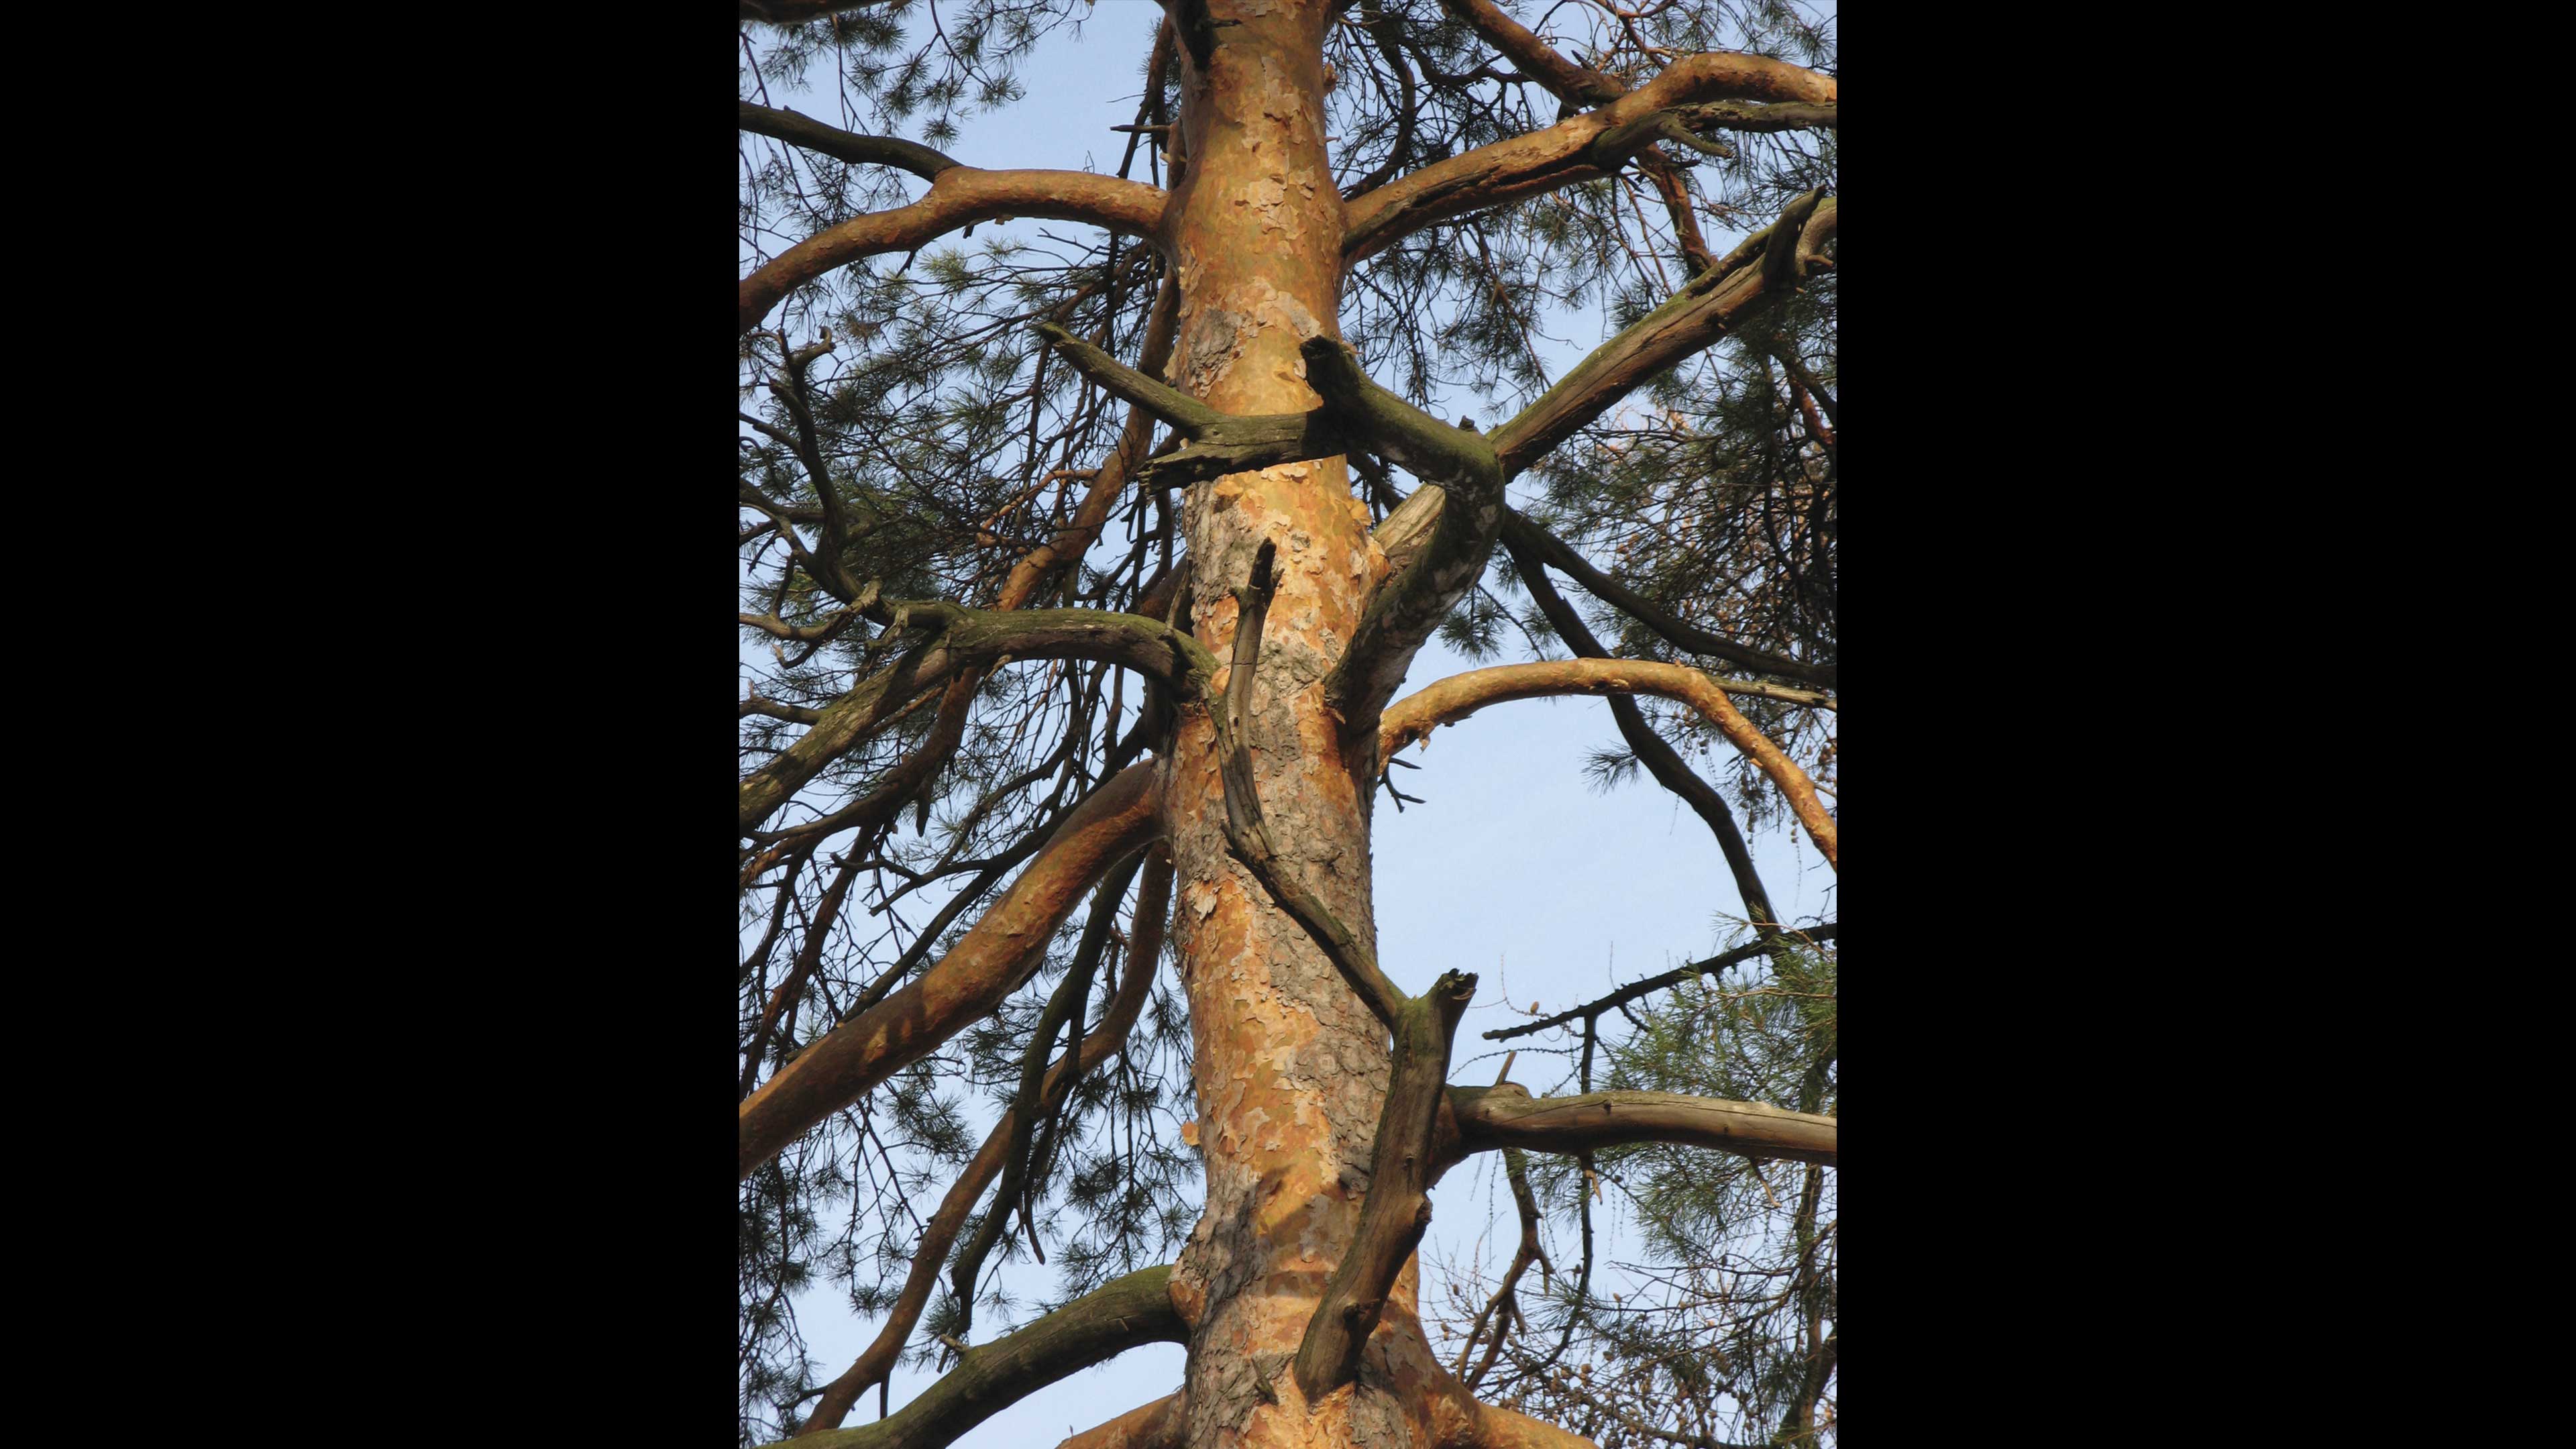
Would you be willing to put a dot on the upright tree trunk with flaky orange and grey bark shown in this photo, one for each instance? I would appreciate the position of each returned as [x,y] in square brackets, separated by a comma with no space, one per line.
[1289,1064]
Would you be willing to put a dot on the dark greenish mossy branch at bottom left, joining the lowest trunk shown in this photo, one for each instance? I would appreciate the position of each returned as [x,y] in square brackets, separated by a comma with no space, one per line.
[996,1376]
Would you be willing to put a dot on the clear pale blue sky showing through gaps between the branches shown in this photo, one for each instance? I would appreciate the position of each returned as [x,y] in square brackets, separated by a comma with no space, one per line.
[1513,868]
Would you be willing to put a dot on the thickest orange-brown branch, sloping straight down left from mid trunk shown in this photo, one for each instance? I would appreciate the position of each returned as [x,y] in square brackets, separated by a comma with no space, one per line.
[967,984]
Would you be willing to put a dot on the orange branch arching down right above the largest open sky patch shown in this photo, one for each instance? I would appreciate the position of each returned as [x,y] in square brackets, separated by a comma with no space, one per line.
[1470,692]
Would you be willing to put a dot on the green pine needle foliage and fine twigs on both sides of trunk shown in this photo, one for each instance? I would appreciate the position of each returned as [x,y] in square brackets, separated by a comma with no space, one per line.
[954,452]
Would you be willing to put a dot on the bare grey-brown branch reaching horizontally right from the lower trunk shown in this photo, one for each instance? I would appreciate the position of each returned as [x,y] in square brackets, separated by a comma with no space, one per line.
[1511,1118]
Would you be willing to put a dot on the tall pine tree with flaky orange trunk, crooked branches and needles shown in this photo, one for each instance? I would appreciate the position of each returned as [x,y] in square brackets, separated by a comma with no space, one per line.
[1083,563]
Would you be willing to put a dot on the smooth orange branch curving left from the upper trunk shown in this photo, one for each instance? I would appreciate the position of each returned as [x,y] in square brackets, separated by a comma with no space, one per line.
[960,197]
